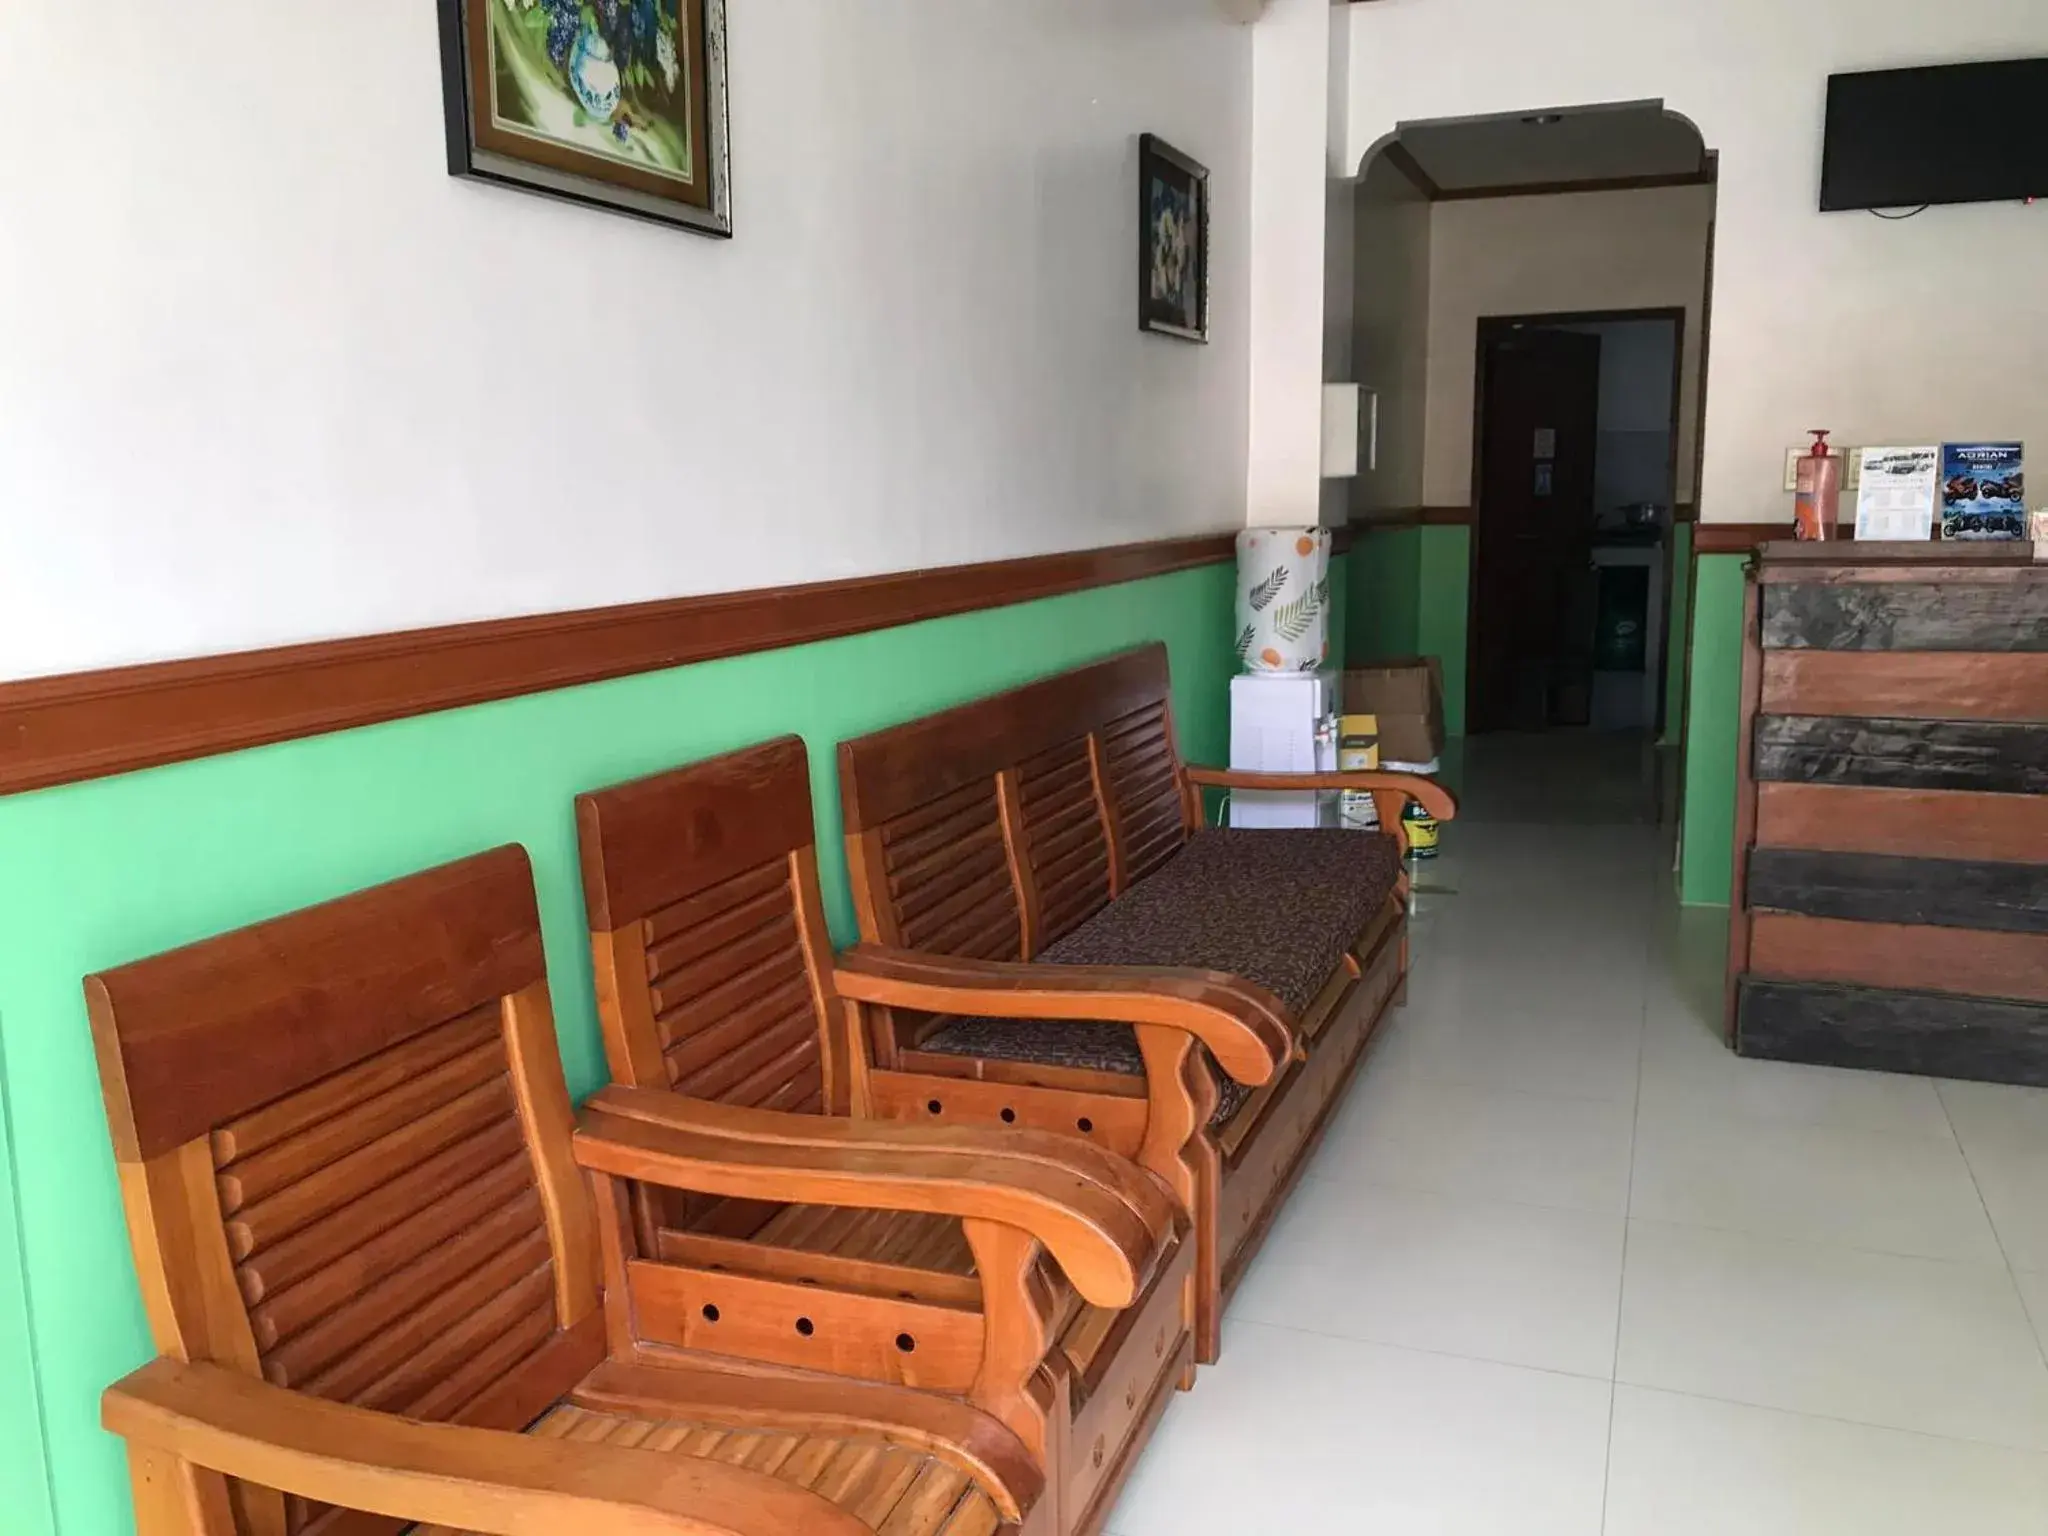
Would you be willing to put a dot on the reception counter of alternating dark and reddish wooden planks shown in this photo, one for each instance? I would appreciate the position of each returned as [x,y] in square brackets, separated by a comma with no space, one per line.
[1891,828]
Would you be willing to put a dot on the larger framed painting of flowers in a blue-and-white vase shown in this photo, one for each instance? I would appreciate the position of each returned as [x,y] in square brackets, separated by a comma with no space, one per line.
[615,103]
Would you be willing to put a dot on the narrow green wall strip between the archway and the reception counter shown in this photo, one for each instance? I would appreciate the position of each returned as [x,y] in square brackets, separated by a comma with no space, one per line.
[1713,728]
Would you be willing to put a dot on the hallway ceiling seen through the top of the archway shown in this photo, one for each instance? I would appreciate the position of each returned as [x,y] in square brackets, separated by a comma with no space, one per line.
[1588,144]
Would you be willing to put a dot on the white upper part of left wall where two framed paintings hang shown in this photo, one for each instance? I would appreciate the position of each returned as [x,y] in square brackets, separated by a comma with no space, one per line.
[267,374]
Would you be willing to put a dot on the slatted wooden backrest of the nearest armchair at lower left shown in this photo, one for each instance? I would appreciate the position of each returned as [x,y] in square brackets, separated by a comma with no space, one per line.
[345,1154]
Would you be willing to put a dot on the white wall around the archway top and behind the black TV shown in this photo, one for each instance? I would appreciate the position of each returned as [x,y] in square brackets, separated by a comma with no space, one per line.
[1879,331]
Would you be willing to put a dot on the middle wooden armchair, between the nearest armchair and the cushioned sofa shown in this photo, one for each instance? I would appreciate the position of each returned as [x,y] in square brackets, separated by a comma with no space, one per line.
[722,1017]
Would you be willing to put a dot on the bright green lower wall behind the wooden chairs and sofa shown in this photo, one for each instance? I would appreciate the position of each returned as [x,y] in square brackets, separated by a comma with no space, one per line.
[93,876]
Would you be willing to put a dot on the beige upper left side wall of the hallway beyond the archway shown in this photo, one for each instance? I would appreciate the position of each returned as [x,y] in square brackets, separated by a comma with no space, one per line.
[1392,347]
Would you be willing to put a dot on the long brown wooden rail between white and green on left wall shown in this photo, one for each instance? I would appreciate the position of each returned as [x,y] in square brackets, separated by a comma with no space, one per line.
[95,724]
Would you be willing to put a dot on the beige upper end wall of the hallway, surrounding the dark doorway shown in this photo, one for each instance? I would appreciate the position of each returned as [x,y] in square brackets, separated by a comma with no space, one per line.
[1555,255]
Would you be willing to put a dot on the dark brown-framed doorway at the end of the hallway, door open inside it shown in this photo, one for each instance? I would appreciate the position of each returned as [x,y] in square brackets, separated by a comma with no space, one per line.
[1574,488]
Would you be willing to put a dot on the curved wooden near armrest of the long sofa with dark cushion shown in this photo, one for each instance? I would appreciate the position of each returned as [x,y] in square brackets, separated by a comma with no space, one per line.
[1246,1029]
